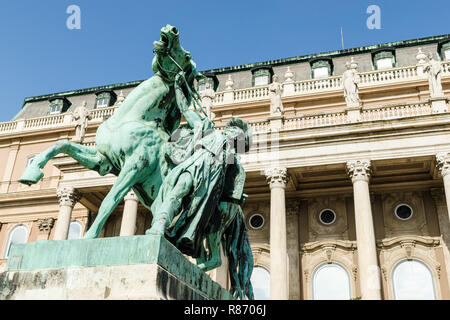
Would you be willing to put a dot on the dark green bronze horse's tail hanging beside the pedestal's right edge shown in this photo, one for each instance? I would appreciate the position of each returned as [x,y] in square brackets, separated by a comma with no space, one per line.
[240,258]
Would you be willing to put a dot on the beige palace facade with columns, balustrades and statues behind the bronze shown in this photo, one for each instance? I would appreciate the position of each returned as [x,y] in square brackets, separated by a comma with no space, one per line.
[348,179]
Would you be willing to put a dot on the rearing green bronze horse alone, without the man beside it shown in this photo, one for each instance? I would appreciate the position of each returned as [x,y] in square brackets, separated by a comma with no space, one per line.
[129,144]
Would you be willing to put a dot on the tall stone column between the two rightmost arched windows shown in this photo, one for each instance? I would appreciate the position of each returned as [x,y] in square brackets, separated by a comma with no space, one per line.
[359,172]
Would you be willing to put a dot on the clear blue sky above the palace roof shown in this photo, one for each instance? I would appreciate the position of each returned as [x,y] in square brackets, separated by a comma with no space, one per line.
[39,55]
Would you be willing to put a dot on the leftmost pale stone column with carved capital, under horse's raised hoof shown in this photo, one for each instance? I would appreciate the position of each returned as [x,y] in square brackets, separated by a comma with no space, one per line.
[68,196]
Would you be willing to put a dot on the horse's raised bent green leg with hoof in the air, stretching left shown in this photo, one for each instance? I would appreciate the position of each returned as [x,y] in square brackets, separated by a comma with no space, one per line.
[87,156]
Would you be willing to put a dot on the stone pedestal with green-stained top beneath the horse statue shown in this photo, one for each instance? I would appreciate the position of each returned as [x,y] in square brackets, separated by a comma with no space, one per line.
[138,267]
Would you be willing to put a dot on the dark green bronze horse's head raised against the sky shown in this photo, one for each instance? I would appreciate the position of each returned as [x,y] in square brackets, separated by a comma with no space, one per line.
[171,58]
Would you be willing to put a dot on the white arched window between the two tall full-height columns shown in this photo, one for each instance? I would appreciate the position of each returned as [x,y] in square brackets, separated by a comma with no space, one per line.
[331,282]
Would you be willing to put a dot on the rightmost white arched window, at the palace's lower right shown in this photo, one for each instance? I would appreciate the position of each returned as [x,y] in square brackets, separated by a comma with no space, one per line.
[412,280]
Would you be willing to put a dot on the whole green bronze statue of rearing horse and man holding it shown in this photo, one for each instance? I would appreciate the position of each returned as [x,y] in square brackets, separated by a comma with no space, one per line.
[193,185]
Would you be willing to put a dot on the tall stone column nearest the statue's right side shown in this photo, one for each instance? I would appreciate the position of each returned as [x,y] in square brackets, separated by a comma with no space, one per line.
[279,286]
